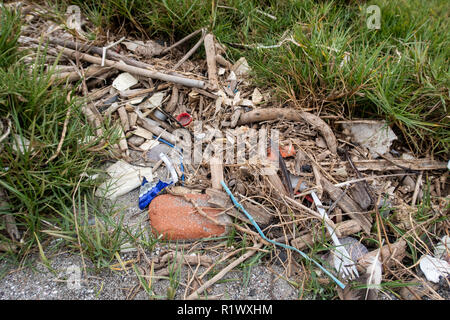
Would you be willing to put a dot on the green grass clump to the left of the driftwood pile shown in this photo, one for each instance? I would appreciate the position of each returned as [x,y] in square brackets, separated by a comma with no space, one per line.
[45,197]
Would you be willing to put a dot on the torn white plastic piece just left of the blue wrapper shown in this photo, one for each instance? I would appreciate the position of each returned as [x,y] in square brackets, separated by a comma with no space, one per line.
[124,178]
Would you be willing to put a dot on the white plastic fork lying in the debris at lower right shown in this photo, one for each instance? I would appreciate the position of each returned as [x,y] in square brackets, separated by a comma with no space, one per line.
[341,258]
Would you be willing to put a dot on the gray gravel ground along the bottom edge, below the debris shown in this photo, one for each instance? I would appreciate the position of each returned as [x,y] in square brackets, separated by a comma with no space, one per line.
[38,282]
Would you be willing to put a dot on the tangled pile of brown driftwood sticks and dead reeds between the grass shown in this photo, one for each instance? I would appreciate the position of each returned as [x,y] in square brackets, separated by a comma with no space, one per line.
[391,204]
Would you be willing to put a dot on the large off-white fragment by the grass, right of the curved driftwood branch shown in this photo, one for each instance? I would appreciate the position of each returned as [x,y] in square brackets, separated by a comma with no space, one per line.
[376,136]
